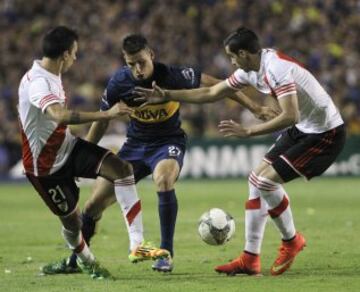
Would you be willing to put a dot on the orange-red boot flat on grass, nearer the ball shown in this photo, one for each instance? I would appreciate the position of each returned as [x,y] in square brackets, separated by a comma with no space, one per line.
[247,264]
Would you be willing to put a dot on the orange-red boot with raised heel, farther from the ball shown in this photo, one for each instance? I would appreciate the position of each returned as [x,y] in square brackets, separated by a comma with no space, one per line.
[287,253]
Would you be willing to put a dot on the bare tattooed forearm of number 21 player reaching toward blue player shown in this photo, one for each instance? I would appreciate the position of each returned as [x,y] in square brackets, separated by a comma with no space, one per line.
[70,117]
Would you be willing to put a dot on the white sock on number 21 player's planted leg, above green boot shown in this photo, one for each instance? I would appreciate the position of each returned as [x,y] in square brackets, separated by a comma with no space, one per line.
[76,242]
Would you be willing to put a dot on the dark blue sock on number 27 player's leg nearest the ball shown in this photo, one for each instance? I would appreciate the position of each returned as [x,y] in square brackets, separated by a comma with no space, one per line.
[167,213]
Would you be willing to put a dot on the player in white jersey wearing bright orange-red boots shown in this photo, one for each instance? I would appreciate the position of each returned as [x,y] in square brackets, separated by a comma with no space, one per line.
[314,137]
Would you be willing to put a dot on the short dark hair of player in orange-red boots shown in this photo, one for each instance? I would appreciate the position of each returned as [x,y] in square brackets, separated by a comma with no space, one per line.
[243,39]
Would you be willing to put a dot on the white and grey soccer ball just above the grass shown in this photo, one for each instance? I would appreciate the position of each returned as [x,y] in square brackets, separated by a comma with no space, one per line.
[216,227]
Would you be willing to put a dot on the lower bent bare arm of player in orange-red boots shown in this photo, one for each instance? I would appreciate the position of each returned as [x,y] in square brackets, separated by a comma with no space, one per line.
[289,116]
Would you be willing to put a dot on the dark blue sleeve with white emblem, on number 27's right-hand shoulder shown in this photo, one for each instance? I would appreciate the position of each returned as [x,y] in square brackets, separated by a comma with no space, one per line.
[185,77]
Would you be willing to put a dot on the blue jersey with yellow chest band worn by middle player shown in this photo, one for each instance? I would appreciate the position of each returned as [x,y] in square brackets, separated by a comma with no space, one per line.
[153,122]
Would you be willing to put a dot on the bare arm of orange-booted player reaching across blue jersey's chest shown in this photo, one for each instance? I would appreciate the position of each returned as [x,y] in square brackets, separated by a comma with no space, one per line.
[198,95]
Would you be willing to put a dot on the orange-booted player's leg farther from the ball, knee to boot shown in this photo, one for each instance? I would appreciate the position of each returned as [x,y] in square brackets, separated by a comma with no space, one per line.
[270,185]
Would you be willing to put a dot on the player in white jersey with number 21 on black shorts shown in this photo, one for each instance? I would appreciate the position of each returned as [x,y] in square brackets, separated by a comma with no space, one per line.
[53,157]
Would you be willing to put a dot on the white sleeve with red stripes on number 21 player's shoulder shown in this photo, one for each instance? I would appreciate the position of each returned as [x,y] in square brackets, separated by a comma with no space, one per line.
[42,95]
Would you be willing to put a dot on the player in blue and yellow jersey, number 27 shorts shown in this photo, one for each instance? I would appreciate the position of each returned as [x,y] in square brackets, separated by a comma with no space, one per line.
[155,142]
